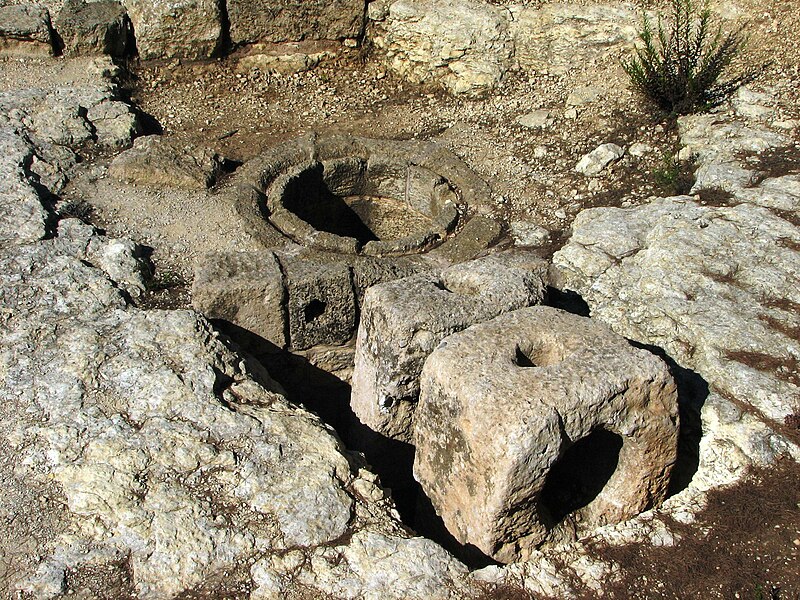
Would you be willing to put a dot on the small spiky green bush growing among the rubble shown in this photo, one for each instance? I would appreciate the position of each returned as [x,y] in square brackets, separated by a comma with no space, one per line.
[679,69]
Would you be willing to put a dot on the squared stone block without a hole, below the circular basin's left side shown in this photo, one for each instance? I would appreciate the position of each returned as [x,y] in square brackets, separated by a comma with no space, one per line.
[245,289]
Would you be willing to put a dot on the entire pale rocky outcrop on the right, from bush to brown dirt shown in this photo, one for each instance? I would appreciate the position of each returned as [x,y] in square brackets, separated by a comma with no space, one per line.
[712,283]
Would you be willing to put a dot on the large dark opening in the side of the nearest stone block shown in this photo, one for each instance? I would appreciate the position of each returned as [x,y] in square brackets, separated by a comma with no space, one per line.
[579,475]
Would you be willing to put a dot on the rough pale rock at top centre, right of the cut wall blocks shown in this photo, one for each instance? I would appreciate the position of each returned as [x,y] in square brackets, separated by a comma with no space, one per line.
[463,45]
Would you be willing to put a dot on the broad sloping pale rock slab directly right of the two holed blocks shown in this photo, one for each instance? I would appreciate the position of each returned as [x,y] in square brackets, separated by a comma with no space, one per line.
[717,288]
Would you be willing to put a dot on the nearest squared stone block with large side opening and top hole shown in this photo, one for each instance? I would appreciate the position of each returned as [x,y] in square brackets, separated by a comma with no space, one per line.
[540,423]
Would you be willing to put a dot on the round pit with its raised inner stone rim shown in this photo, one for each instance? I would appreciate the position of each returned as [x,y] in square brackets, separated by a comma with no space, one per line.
[368,206]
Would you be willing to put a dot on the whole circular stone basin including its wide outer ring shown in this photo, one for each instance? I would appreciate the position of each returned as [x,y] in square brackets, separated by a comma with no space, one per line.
[357,195]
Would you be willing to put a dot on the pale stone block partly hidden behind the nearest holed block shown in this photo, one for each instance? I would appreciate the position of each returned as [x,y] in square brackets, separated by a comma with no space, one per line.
[403,321]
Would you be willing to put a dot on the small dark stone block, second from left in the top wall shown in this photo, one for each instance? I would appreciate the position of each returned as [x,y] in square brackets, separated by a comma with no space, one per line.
[94,28]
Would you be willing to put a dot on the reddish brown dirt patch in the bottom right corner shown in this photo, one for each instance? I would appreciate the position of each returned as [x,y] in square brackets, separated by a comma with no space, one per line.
[751,549]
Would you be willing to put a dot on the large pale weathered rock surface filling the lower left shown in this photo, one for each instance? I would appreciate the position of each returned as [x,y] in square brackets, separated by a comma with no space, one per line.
[140,456]
